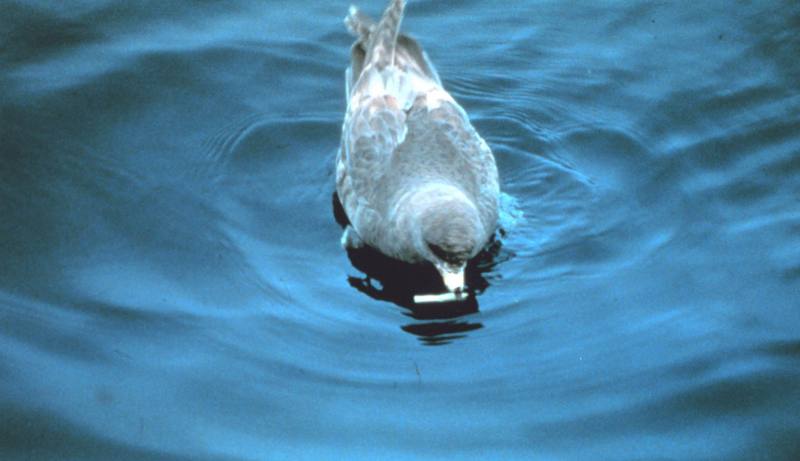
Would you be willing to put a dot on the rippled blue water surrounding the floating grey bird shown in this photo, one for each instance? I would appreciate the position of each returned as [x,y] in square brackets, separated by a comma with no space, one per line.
[172,286]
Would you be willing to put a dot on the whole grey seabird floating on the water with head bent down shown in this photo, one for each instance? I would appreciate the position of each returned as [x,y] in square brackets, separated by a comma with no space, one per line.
[415,179]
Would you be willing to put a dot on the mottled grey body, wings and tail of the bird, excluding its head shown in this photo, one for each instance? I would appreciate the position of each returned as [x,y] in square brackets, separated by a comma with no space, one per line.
[404,133]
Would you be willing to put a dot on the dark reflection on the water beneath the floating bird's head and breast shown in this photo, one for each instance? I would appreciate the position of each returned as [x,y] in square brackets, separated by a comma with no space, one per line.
[388,279]
